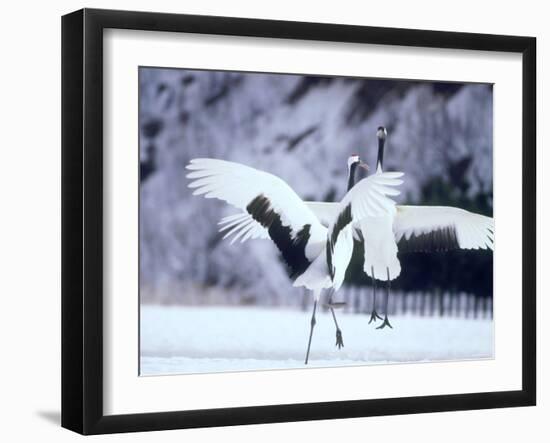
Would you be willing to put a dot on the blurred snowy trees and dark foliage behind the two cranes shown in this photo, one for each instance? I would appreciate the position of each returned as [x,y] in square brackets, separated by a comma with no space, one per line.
[301,128]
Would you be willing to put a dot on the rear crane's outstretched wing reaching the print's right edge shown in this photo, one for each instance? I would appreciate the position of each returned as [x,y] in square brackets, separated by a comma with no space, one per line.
[441,228]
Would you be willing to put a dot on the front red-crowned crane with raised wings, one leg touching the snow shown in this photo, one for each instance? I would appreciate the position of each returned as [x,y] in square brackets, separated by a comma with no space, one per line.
[317,256]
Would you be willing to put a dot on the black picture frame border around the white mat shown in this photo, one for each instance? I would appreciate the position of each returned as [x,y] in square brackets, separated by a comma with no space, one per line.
[82,220]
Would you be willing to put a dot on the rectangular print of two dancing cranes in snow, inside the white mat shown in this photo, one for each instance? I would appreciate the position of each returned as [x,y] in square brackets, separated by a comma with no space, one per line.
[297,221]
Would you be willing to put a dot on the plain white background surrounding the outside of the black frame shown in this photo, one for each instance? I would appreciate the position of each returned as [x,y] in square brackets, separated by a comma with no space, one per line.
[30,232]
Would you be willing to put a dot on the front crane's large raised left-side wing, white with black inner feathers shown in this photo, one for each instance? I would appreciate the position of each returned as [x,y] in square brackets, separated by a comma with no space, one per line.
[269,201]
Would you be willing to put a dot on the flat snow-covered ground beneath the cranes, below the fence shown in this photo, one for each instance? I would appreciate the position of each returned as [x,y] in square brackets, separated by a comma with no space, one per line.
[184,339]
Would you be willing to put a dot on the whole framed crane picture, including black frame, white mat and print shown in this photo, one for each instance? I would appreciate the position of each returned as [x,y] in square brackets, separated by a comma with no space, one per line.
[269,221]
